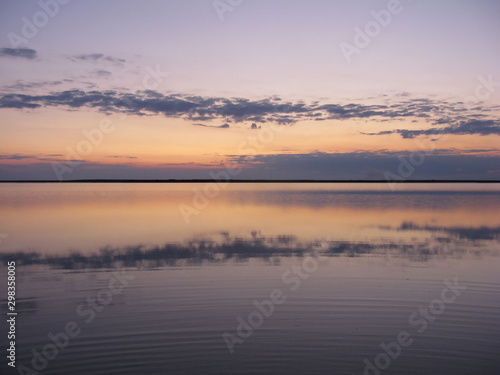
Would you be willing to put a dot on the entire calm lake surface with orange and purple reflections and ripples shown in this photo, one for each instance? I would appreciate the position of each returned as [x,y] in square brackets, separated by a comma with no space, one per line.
[160,281]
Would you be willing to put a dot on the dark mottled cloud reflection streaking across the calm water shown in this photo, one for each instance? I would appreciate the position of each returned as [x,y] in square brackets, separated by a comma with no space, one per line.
[441,242]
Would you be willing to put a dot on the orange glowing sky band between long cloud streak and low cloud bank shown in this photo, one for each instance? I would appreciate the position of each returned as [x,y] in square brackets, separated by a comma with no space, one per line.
[155,141]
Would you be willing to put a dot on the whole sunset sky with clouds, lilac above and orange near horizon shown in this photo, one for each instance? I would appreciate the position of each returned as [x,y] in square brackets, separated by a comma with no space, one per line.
[250,89]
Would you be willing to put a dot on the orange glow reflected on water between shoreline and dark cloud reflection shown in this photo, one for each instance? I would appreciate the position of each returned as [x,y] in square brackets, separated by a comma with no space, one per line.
[54,218]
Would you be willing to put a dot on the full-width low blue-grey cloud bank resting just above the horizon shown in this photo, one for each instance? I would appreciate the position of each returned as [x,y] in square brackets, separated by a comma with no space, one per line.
[442,165]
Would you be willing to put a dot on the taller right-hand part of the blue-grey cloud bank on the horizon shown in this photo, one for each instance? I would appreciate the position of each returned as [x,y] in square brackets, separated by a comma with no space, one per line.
[441,164]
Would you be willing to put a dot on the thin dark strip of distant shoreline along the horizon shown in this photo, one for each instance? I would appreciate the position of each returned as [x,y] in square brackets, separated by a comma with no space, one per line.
[104,181]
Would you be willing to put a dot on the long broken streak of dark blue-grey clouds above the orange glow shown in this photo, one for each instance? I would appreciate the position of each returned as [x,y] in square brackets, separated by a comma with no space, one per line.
[454,116]
